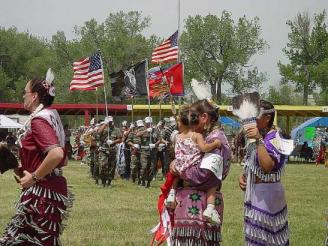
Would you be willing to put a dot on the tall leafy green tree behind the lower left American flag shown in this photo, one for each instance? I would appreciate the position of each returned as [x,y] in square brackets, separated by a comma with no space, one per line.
[119,39]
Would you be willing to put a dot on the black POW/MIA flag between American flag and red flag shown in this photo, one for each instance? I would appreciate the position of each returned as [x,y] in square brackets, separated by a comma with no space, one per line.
[130,82]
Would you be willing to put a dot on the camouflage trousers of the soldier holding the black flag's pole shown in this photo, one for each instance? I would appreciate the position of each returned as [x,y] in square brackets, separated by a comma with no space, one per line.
[147,164]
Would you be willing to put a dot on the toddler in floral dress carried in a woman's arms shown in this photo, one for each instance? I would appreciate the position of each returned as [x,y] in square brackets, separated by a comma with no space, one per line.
[189,146]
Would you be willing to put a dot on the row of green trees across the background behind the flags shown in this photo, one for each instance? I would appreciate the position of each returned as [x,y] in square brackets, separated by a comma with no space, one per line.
[215,49]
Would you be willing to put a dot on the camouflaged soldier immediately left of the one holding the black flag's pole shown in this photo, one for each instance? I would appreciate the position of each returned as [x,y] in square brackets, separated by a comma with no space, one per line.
[134,143]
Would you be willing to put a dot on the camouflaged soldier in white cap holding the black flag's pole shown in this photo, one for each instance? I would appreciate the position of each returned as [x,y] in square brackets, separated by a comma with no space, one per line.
[147,152]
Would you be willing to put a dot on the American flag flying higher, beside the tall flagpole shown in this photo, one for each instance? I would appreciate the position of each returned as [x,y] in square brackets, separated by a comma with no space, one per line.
[167,51]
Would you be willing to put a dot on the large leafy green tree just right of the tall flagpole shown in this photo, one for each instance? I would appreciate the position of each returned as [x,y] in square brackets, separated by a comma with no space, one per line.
[217,50]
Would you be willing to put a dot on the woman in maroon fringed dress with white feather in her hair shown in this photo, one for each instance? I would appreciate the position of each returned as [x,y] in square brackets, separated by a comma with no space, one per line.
[45,199]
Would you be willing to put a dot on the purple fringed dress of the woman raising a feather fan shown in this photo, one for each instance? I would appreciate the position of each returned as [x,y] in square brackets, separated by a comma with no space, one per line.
[265,208]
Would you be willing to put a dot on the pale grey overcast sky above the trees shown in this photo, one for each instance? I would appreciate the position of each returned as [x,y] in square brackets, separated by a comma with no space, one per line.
[43,18]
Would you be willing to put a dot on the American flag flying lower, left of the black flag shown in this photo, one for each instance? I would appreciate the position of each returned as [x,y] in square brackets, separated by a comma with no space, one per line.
[88,73]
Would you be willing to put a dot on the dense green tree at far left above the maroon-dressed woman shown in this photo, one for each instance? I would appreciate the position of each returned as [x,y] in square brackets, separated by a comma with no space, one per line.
[22,57]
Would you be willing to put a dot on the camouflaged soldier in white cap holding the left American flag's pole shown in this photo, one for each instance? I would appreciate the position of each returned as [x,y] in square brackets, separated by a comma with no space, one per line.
[109,136]
